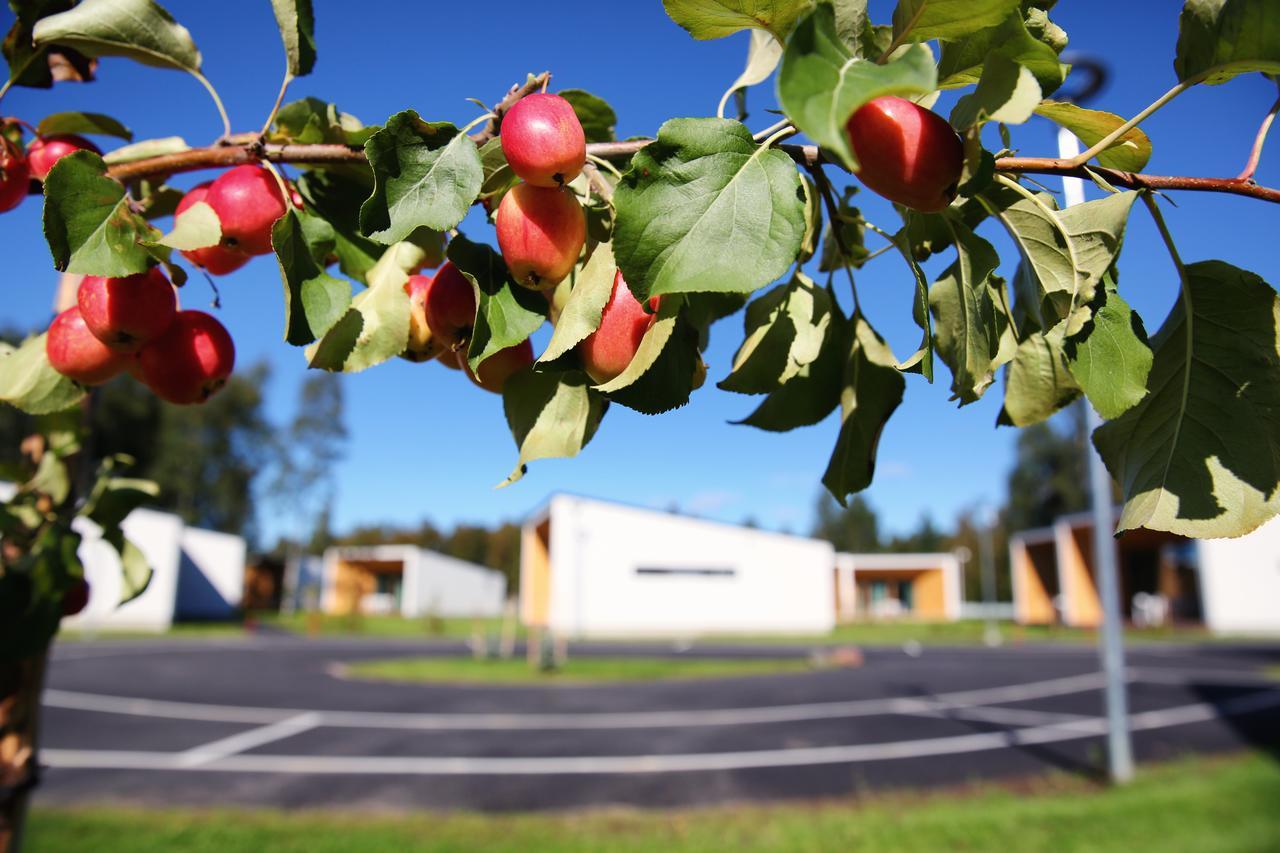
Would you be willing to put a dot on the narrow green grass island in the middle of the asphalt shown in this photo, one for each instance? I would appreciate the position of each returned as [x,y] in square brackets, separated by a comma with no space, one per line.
[469,670]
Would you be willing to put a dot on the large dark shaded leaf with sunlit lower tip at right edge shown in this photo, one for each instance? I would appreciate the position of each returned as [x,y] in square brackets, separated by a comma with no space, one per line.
[1200,455]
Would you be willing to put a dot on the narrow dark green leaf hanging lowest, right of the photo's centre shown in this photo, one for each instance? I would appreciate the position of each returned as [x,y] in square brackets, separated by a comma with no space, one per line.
[874,390]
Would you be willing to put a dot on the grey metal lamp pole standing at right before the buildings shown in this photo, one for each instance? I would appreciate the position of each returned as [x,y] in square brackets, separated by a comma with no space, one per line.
[1112,650]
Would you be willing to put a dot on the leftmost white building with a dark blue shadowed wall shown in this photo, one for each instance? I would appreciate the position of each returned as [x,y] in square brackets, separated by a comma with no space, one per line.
[195,574]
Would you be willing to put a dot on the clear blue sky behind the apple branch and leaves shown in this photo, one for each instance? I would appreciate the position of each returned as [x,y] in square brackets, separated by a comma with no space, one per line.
[426,444]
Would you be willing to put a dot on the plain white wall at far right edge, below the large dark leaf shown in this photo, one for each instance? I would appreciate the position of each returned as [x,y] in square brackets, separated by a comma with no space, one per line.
[1241,581]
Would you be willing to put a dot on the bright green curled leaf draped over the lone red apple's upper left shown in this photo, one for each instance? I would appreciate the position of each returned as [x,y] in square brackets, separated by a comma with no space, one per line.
[822,83]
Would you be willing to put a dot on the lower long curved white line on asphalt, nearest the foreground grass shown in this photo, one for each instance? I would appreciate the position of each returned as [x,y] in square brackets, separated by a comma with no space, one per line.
[609,765]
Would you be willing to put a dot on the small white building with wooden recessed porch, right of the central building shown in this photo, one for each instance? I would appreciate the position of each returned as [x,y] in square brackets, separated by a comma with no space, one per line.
[890,586]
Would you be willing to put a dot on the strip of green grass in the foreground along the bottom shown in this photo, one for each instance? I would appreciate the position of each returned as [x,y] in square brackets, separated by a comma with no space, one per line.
[1203,805]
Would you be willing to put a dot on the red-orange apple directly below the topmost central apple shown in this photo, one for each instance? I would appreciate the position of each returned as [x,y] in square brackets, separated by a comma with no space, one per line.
[541,234]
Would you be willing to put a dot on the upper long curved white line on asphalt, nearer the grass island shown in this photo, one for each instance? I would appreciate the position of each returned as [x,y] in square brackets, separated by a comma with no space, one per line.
[683,719]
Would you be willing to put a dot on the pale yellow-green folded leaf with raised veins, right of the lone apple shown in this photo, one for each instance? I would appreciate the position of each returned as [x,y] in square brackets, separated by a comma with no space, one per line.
[1068,250]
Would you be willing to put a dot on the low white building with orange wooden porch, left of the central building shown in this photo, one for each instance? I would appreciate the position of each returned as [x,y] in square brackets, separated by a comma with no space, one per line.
[409,581]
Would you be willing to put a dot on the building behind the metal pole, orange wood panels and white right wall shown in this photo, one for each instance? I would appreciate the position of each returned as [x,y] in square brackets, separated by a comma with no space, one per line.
[1226,585]
